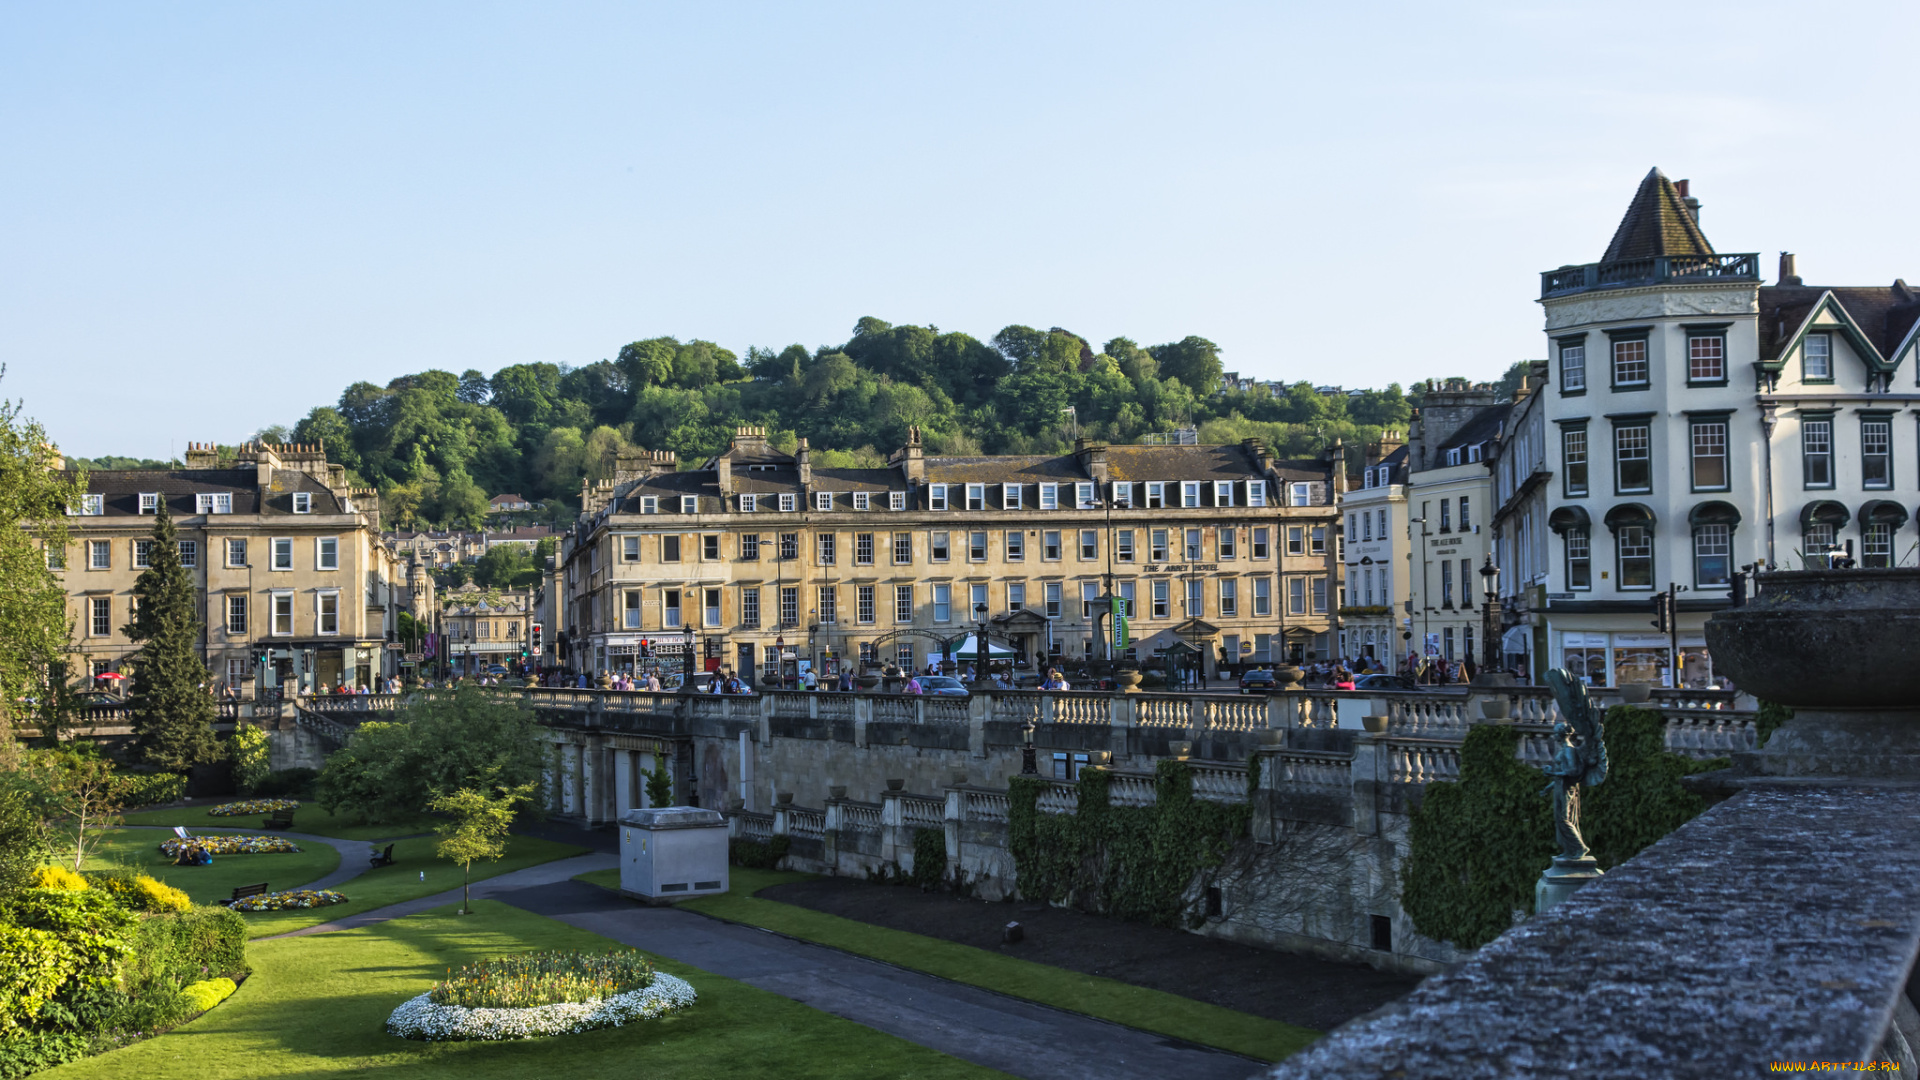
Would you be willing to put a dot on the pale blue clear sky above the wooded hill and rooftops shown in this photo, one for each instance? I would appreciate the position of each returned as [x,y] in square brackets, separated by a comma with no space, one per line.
[218,216]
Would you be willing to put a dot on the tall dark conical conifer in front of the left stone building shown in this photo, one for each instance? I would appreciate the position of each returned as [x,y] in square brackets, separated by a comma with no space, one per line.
[172,708]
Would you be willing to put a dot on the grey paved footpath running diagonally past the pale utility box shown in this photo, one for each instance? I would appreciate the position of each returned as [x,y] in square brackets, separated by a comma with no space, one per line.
[1015,1037]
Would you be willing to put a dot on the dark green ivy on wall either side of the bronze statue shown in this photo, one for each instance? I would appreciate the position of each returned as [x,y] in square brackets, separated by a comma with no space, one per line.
[1479,845]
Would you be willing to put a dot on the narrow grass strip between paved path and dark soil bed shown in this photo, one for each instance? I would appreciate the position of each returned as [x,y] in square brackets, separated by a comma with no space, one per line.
[1105,998]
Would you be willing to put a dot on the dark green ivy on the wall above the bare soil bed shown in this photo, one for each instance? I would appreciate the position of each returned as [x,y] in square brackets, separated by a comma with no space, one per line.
[1132,864]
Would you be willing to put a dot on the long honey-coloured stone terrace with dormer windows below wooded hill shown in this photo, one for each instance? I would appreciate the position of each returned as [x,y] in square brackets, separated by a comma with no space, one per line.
[1222,558]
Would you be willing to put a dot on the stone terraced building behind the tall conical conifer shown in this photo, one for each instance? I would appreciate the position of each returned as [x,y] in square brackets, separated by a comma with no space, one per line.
[285,556]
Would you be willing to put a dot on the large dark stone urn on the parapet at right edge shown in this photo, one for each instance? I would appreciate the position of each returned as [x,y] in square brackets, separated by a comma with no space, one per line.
[1840,649]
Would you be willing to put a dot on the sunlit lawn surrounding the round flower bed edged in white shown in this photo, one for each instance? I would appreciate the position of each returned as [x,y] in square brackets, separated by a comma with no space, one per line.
[318,1008]
